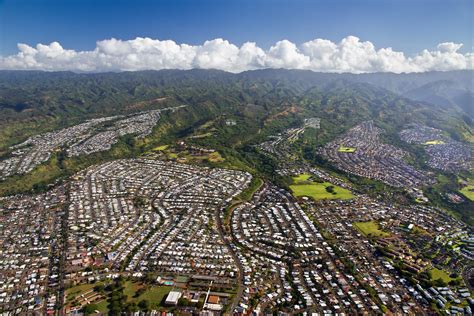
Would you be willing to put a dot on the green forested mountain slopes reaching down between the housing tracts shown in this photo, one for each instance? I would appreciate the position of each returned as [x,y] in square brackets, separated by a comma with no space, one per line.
[259,104]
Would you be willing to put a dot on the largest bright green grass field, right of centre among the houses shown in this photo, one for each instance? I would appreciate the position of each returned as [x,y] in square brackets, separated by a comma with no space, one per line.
[304,187]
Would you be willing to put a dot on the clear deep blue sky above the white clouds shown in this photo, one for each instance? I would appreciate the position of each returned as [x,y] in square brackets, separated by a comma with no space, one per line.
[407,26]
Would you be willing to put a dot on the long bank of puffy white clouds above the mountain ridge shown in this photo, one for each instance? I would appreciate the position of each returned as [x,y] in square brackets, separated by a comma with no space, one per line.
[349,55]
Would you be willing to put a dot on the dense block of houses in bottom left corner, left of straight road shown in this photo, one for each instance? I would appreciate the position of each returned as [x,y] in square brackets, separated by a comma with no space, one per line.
[30,237]
